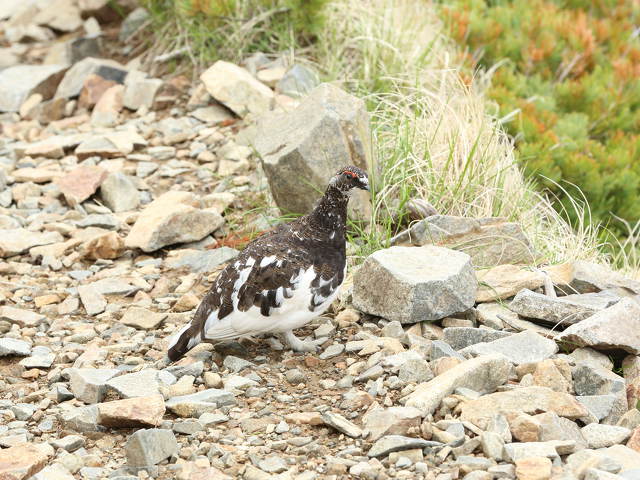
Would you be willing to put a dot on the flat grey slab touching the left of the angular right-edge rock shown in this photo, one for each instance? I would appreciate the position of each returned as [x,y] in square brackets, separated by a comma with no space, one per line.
[550,310]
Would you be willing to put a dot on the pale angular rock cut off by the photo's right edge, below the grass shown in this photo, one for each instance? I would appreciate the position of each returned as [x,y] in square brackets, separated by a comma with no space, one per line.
[616,328]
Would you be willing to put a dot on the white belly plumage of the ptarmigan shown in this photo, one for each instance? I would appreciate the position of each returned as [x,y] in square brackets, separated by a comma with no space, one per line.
[293,313]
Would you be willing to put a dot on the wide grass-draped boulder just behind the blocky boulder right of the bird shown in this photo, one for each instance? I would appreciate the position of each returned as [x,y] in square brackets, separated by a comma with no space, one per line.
[489,241]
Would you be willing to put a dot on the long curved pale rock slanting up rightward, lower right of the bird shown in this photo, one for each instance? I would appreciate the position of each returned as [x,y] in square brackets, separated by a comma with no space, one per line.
[483,374]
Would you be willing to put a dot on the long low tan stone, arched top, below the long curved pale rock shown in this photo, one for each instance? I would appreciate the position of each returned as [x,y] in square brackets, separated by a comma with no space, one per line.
[529,400]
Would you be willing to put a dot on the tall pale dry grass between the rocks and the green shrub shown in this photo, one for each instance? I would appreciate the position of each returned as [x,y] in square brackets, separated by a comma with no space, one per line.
[432,134]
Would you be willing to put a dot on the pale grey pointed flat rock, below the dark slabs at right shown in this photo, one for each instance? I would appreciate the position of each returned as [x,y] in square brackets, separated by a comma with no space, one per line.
[523,347]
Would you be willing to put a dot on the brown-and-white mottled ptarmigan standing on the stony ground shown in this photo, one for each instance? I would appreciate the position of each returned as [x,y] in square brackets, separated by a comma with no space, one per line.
[281,280]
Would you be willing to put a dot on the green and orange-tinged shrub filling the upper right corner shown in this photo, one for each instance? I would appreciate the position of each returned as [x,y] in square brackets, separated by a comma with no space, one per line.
[570,70]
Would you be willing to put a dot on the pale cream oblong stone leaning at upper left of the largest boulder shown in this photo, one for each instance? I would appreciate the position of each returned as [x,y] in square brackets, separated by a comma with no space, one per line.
[237,89]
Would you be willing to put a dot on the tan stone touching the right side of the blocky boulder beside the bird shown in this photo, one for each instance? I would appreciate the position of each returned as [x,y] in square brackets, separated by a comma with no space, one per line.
[505,281]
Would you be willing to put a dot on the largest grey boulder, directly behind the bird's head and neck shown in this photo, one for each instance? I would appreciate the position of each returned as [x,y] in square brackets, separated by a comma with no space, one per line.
[302,149]
